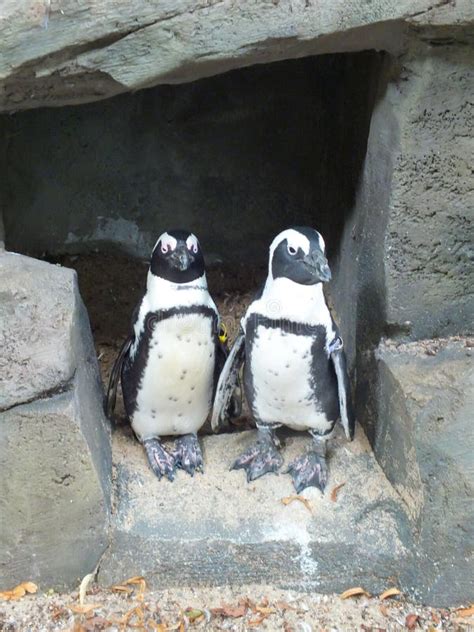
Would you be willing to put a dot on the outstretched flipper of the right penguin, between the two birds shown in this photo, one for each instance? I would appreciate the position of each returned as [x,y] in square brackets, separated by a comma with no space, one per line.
[228,381]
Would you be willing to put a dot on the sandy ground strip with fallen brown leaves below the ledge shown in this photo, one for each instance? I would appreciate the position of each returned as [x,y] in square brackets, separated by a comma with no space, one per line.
[254,608]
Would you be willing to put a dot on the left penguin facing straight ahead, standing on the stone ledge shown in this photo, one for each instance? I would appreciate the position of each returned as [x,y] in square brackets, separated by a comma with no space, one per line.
[170,362]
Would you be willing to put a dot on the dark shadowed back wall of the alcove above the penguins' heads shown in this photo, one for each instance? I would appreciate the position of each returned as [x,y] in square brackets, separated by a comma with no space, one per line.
[235,158]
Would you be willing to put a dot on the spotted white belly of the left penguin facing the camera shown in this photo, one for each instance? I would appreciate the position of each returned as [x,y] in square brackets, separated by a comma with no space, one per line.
[175,393]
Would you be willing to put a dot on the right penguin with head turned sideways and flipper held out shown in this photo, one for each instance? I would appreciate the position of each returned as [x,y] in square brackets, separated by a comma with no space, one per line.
[295,372]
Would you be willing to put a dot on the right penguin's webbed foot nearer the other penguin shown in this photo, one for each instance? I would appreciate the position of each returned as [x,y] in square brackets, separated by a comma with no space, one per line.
[262,457]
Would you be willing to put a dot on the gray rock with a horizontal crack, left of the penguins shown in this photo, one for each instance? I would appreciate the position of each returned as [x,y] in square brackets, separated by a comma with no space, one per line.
[54,440]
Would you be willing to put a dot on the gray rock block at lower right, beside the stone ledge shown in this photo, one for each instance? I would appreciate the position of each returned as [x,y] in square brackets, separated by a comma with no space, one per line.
[424,442]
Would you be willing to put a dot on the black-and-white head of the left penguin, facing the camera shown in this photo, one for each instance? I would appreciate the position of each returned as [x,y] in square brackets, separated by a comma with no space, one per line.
[177,257]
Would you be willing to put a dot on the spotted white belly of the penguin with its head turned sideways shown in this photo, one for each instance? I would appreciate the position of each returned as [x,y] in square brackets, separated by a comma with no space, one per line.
[281,371]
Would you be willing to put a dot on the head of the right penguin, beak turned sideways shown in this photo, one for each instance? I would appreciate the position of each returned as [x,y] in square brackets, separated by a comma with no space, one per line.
[298,254]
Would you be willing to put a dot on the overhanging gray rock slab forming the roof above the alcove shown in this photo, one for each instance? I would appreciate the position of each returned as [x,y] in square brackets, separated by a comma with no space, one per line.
[71,52]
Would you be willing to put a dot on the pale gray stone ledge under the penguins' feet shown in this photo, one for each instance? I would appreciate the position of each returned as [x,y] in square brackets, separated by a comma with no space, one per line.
[217,529]
